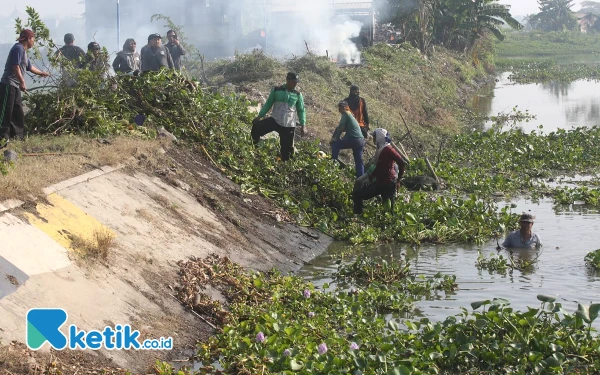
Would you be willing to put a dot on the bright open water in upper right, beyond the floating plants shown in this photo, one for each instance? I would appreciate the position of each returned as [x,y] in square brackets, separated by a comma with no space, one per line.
[555,104]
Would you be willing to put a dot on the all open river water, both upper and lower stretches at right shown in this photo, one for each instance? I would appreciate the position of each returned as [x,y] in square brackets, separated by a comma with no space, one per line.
[567,233]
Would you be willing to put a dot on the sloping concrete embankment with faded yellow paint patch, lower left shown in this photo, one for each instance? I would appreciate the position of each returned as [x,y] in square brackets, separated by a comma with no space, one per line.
[156,221]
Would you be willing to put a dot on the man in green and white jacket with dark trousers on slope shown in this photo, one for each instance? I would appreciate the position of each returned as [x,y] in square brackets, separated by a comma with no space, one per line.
[288,108]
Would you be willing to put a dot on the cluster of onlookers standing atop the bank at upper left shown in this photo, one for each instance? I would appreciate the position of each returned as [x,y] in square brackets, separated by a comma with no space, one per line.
[152,57]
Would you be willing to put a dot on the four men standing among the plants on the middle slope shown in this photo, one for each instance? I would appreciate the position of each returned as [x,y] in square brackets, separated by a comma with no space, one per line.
[383,171]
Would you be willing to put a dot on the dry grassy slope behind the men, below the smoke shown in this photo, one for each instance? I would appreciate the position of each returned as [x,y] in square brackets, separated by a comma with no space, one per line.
[394,80]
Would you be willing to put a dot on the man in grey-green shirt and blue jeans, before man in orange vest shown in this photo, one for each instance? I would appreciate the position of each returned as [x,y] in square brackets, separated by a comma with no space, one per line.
[352,140]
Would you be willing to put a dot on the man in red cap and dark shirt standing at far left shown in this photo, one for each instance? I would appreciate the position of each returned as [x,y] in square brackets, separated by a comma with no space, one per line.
[12,118]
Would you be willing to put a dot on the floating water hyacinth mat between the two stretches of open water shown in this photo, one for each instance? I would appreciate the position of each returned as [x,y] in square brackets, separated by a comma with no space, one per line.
[508,160]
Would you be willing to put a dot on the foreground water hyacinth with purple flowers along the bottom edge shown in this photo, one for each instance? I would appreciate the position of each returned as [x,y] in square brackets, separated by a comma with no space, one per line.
[293,327]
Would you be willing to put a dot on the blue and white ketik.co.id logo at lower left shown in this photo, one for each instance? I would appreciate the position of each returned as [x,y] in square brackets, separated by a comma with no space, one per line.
[44,325]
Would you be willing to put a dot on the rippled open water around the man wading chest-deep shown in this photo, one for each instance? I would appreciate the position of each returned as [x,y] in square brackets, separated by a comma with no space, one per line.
[567,236]
